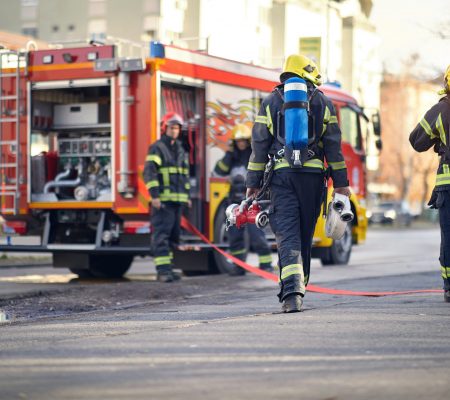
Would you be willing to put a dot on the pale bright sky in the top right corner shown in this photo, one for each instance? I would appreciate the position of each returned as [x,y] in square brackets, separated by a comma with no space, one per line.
[407,27]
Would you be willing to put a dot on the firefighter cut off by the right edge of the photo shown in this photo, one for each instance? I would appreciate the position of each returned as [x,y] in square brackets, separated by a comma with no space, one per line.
[433,131]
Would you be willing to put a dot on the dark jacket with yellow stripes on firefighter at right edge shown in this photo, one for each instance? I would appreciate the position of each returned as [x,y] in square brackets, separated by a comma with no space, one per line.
[433,130]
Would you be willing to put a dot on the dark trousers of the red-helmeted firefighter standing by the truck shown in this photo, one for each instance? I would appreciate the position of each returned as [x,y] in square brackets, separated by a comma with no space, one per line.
[165,223]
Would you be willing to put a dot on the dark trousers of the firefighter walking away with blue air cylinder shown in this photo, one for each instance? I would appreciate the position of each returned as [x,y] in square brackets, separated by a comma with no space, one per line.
[296,199]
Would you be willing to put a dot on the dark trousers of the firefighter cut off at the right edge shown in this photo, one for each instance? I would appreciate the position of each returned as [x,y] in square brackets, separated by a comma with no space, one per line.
[443,204]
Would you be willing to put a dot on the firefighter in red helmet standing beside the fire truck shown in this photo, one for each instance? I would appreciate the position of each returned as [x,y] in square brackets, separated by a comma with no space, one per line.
[166,175]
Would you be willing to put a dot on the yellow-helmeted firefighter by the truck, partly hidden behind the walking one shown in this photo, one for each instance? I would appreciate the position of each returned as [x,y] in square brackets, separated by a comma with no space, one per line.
[234,164]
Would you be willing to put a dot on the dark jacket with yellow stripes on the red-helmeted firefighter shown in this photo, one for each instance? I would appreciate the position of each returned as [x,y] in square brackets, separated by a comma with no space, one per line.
[166,171]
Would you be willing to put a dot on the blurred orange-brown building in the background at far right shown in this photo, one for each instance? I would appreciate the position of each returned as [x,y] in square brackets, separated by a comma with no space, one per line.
[404,174]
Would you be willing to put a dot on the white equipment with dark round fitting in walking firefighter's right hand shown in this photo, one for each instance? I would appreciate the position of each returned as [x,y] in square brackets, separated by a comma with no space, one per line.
[338,216]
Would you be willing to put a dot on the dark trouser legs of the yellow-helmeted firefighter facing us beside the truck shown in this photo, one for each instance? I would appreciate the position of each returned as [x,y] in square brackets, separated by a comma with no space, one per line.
[258,243]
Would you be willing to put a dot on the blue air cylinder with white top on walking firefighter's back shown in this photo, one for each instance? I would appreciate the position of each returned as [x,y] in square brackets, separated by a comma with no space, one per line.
[296,113]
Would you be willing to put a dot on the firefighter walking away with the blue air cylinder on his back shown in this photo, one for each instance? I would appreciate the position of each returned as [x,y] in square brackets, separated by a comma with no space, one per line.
[296,192]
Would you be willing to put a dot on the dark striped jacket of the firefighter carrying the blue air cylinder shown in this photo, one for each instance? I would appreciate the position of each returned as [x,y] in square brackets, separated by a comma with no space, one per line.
[327,145]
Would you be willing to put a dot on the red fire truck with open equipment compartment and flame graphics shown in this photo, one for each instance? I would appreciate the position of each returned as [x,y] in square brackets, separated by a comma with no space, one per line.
[75,125]
